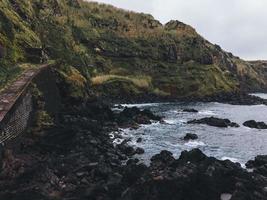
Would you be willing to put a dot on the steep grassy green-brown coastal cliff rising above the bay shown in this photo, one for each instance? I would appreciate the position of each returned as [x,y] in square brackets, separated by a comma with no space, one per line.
[119,53]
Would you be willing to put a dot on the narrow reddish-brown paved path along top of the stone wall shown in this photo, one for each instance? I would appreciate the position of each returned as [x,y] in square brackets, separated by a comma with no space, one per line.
[9,96]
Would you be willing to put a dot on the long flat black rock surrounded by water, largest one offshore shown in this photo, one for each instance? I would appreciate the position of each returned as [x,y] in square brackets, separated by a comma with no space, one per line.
[213,121]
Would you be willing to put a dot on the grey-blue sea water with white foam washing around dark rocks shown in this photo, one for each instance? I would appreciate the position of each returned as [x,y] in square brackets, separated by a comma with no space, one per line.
[236,144]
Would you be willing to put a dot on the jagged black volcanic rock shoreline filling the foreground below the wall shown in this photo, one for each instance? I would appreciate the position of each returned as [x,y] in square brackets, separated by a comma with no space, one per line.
[76,159]
